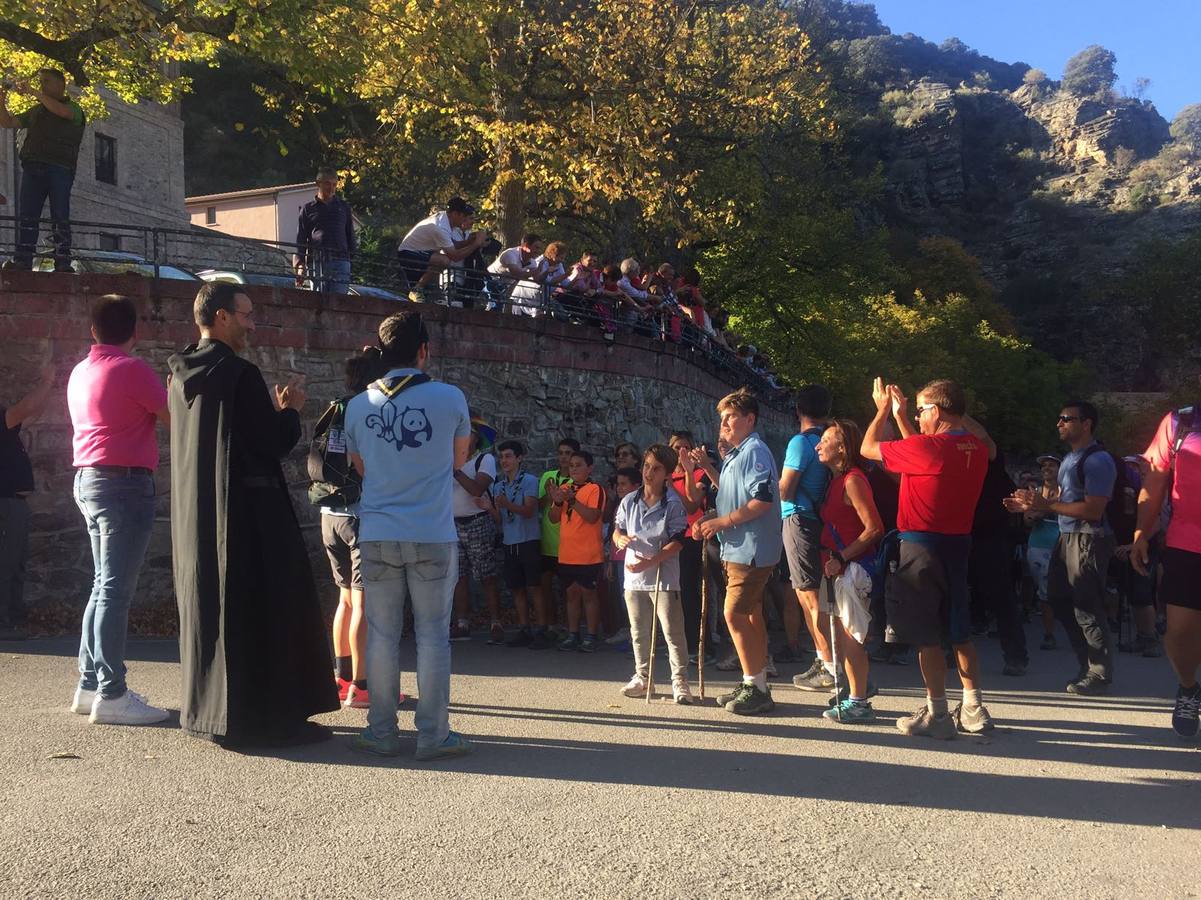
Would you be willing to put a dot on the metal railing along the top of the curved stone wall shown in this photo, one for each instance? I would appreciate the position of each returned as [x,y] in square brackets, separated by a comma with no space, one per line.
[198,253]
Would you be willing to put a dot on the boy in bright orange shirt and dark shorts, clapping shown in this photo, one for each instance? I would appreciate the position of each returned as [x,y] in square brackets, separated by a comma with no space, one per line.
[578,509]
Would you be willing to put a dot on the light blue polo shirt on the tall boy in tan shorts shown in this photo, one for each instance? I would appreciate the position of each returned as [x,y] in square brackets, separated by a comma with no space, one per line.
[749,472]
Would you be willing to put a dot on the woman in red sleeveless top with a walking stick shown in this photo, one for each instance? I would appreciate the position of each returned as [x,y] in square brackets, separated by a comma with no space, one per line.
[851,531]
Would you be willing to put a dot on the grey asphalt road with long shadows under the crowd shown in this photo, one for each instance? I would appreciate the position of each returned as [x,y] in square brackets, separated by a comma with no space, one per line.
[578,792]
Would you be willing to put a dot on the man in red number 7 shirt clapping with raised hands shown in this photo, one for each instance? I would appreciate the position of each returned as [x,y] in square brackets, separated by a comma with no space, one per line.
[942,474]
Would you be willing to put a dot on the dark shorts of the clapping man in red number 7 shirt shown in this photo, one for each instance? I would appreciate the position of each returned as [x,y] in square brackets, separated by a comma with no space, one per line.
[928,600]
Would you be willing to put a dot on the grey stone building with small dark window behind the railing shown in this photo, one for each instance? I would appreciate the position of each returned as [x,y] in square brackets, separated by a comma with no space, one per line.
[130,175]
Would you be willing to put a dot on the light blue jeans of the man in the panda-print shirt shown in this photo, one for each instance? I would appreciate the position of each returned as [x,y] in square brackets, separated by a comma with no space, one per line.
[425,575]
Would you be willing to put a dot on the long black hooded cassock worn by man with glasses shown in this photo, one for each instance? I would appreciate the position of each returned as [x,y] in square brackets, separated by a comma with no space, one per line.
[252,636]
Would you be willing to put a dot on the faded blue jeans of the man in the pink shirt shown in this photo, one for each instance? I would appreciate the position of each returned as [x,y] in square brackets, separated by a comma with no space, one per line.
[119,512]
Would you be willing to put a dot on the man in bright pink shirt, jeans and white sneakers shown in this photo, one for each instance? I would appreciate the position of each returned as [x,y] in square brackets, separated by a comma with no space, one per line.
[115,401]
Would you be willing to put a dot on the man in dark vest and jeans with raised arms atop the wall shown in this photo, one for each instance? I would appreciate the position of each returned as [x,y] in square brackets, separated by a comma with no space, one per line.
[53,134]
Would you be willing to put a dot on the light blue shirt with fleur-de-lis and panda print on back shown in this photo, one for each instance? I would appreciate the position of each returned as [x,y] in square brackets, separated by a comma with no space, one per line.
[407,443]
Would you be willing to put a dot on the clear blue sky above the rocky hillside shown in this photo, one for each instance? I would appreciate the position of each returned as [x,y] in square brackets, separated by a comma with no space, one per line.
[1152,39]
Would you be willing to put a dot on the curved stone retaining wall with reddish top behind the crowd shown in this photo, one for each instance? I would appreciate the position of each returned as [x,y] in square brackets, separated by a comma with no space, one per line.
[533,379]
